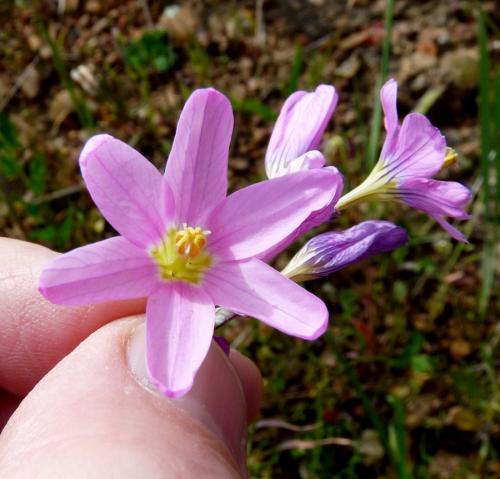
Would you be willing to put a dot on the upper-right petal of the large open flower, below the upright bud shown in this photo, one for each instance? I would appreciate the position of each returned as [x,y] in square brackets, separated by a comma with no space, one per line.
[258,217]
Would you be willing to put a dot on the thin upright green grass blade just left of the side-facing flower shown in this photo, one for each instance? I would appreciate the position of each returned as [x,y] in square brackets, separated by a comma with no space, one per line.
[376,121]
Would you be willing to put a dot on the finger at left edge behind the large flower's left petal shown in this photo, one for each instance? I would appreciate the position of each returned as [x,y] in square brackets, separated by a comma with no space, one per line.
[35,334]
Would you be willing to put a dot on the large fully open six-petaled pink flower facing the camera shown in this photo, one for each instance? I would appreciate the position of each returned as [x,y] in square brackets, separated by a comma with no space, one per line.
[188,247]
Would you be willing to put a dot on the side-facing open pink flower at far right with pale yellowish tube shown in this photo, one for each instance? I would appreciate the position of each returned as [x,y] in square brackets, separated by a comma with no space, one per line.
[411,155]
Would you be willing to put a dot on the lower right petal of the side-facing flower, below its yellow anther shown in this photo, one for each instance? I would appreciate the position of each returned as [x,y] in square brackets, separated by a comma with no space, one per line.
[441,198]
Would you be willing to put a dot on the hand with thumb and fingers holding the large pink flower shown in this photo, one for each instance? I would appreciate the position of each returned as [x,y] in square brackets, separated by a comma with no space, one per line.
[75,399]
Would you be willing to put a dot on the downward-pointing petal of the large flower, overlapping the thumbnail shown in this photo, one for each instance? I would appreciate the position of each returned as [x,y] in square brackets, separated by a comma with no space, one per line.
[179,326]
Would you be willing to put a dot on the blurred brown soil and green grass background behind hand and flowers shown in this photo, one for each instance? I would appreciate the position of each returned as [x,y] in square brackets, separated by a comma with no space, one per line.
[405,382]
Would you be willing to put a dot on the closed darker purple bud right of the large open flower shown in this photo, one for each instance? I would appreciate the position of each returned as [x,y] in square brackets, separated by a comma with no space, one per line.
[328,252]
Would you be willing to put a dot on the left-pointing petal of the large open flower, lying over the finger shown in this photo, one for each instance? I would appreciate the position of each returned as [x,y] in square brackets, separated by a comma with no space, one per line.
[108,270]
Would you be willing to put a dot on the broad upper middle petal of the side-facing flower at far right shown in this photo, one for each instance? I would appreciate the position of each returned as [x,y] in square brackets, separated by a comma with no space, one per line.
[419,149]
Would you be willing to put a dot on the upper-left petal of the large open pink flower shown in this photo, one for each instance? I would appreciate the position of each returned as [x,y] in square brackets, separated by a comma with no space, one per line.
[126,187]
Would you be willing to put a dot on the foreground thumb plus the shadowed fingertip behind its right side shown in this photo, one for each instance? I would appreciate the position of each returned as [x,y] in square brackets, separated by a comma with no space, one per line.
[95,415]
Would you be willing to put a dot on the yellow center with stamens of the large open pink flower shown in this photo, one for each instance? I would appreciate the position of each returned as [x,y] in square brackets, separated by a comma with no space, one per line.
[181,255]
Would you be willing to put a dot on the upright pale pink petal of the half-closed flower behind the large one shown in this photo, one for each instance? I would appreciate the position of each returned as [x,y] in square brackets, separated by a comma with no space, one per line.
[300,125]
